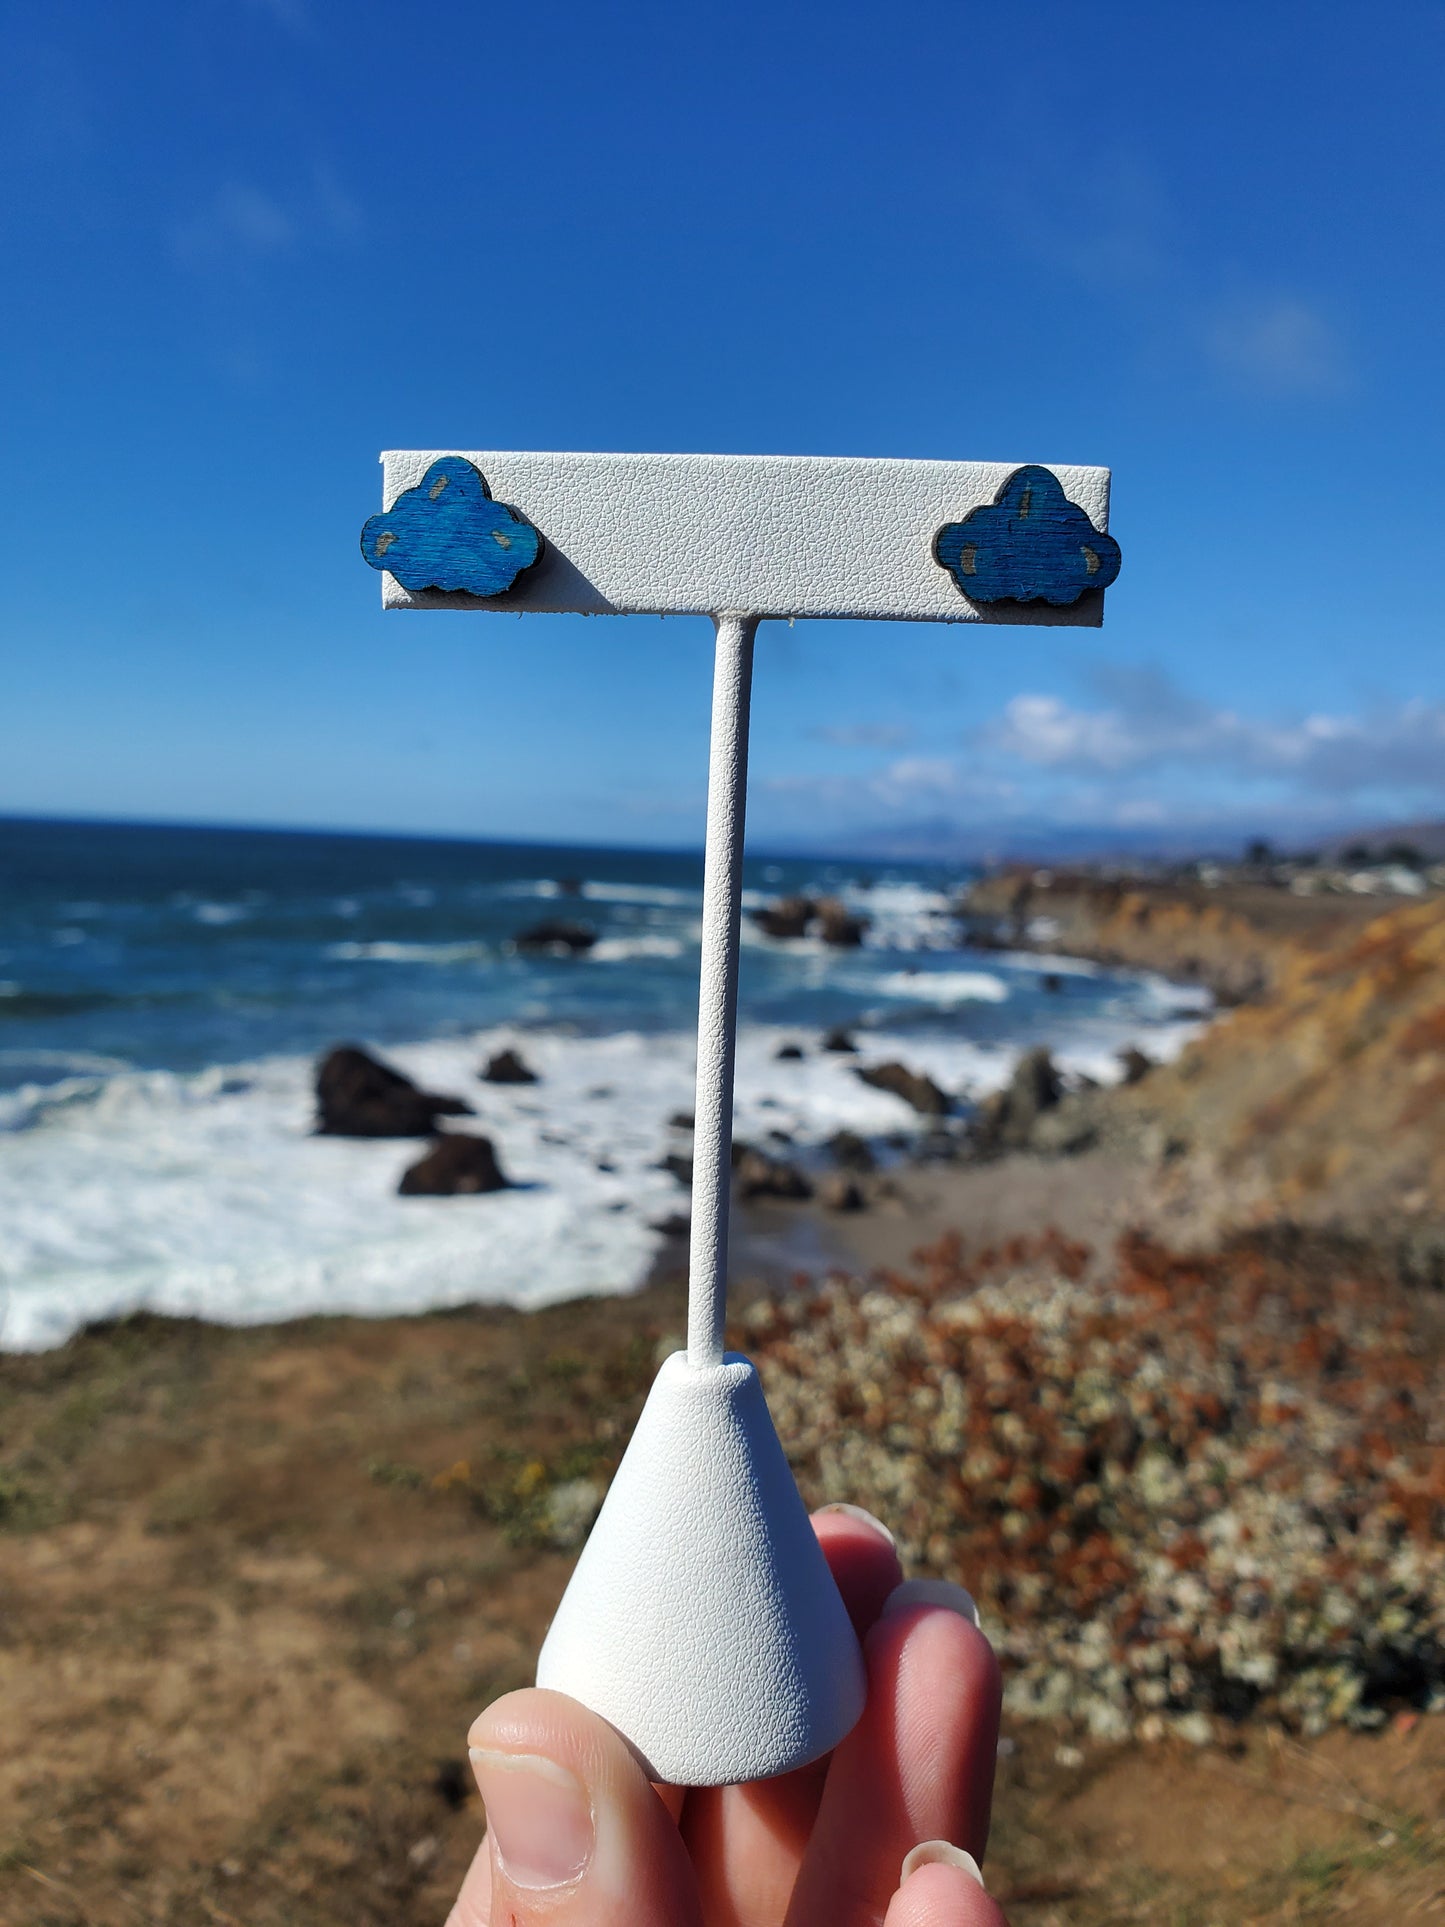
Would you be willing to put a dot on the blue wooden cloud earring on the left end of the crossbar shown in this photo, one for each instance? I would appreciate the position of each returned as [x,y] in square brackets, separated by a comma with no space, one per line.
[450,535]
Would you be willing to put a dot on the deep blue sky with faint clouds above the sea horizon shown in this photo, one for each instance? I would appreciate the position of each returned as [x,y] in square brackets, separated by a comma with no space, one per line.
[250,244]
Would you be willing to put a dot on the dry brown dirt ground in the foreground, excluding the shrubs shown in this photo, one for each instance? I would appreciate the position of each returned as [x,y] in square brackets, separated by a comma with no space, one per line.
[255,1585]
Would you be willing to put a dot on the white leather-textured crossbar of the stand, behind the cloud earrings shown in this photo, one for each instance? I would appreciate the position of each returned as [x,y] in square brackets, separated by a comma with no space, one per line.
[764,535]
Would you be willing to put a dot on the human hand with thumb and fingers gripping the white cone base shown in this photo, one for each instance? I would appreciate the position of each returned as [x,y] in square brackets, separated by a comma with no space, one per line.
[579,1837]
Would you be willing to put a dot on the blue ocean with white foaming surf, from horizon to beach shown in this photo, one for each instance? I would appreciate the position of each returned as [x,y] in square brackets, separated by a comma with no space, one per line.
[165,995]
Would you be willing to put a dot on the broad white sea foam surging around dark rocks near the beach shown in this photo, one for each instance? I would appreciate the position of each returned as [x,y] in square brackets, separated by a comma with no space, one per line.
[209,1196]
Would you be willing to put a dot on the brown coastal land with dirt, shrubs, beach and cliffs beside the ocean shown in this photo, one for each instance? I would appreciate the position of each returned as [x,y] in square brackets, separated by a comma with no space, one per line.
[1151,1369]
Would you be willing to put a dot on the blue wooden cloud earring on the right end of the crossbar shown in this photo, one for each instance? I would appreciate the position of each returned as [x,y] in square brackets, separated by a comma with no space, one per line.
[1030,544]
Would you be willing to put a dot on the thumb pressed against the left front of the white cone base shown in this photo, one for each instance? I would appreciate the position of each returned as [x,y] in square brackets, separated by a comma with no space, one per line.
[577,1834]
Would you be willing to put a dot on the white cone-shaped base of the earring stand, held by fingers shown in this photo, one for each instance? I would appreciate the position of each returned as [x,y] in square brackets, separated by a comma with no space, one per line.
[702,1620]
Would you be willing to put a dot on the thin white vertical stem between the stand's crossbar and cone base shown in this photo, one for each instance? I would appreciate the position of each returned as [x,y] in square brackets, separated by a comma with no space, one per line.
[718,999]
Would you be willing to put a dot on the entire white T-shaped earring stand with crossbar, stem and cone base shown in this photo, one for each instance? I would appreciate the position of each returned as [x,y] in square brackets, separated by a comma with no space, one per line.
[702,1620]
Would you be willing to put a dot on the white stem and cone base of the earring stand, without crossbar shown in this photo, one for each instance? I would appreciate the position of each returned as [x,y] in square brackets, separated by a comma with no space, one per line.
[702,1618]
